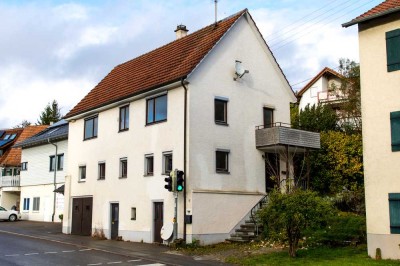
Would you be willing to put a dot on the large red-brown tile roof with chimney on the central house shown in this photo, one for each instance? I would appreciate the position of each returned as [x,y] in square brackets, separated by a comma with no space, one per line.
[162,66]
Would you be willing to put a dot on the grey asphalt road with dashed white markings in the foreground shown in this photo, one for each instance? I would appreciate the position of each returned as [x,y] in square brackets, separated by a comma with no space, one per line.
[21,250]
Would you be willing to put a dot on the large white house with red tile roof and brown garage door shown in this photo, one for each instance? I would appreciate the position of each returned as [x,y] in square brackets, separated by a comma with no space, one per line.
[188,105]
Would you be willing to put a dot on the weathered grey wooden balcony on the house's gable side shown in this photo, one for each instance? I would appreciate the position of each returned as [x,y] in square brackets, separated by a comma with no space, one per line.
[281,135]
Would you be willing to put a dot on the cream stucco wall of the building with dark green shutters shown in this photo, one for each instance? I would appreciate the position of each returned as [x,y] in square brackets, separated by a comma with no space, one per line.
[379,96]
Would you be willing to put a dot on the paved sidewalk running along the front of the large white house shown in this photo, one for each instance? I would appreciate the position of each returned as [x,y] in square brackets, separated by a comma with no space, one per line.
[52,232]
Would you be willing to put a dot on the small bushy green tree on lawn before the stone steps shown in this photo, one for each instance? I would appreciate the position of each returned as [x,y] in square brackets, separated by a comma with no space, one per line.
[287,216]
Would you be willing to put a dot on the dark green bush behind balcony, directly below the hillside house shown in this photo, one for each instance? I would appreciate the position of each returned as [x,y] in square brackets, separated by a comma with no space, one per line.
[315,118]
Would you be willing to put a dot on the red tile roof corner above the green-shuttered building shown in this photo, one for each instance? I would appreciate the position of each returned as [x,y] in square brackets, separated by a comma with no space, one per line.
[386,7]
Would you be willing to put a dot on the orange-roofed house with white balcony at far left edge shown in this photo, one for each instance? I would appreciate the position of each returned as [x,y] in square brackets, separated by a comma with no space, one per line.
[10,163]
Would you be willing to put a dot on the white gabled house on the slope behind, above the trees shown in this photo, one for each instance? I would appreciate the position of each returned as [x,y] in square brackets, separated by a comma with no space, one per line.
[323,88]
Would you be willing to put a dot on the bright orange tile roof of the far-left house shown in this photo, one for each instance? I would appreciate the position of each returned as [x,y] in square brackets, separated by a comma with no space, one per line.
[11,155]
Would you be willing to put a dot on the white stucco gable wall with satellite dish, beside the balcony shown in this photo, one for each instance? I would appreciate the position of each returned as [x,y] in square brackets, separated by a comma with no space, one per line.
[263,86]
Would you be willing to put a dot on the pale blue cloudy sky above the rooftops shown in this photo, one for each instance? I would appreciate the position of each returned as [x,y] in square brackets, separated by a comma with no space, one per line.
[59,50]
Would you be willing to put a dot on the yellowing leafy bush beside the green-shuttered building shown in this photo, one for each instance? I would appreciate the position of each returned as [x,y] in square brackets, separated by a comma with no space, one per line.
[337,166]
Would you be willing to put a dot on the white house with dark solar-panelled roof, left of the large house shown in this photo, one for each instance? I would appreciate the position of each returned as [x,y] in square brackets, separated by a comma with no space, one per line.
[43,171]
